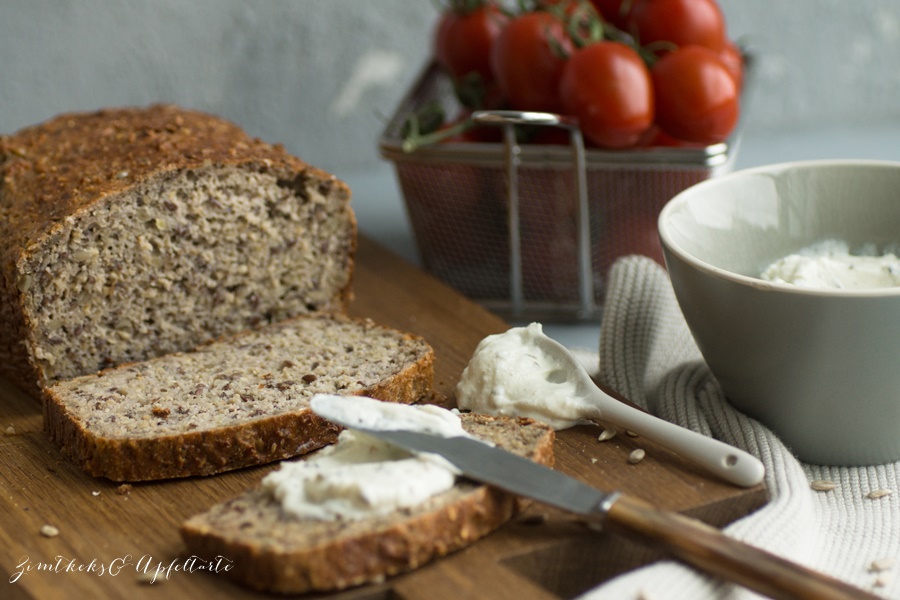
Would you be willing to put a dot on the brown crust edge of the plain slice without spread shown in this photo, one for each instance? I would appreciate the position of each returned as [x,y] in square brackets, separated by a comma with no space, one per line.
[206,452]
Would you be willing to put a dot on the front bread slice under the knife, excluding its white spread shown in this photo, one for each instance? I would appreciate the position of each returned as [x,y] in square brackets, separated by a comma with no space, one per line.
[274,551]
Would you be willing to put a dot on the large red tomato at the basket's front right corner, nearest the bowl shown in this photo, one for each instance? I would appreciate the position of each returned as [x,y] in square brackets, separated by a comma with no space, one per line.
[697,99]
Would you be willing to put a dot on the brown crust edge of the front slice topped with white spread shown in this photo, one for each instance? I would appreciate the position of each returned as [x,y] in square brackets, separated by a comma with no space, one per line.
[403,543]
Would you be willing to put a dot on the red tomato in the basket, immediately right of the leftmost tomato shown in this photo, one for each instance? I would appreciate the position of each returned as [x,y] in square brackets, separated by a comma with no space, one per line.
[528,60]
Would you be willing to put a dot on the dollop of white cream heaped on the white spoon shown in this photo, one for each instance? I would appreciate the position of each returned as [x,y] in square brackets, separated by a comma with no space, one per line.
[508,375]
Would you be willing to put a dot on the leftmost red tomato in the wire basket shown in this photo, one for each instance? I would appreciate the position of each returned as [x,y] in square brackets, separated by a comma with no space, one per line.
[463,40]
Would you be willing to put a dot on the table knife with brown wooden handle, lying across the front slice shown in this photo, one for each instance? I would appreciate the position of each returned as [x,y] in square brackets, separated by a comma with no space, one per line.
[688,540]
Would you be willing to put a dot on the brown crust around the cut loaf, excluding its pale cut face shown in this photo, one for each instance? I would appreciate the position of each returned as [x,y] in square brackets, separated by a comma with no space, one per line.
[54,171]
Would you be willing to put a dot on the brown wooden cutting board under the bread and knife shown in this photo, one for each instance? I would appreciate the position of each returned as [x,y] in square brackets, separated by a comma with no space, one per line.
[542,554]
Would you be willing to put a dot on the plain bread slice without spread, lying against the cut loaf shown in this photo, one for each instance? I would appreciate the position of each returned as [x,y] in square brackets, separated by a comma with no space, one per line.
[240,401]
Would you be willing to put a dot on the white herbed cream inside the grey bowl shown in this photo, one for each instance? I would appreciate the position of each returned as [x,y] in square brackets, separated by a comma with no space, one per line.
[830,264]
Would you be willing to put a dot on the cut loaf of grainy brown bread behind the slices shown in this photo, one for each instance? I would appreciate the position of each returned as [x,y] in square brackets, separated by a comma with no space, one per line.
[132,233]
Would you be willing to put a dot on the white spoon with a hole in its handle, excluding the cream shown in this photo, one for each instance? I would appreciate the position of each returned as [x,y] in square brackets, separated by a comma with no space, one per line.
[729,463]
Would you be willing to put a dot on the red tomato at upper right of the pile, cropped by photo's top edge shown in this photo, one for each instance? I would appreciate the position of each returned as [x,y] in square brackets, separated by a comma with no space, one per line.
[680,22]
